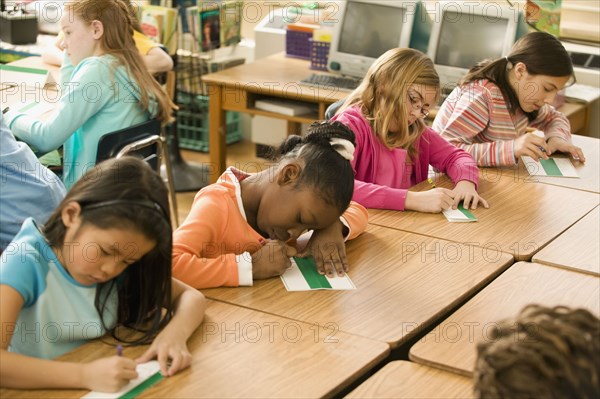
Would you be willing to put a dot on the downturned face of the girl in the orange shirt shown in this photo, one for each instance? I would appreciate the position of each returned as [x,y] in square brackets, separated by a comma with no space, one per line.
[285,213]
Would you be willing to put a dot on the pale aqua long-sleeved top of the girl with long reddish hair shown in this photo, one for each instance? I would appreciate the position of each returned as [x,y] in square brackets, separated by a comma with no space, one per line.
[98,97]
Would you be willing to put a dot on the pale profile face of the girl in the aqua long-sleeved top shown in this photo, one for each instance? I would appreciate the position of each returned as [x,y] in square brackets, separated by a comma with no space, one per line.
[81,40]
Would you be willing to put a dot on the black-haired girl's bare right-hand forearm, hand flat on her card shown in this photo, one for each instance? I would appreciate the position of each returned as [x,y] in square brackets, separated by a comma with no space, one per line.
[189,306]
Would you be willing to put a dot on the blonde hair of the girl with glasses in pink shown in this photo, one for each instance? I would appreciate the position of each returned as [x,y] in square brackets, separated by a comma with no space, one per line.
[382,94]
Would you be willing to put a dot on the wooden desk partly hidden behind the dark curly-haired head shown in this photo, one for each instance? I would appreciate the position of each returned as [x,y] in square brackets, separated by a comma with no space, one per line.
[452,344]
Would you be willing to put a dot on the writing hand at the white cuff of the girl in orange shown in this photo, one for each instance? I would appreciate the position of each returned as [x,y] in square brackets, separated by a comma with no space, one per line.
[272,259]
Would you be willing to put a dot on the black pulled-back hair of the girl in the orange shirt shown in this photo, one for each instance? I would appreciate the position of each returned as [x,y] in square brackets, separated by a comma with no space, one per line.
[325,168]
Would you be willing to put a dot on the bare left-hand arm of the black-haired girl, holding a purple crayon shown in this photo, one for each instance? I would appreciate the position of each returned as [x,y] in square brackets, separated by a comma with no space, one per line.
[19,371]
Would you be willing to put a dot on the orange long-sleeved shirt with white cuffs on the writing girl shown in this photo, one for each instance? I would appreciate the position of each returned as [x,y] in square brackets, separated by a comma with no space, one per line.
[213,245]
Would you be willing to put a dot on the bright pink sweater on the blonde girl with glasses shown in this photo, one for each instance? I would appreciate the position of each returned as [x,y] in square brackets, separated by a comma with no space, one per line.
[383,175]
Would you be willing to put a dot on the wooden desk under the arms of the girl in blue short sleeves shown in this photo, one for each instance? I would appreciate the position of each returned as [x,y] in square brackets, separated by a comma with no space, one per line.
[240,353]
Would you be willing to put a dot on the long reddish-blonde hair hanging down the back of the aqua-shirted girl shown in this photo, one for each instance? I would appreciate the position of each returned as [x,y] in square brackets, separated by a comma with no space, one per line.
[117,40]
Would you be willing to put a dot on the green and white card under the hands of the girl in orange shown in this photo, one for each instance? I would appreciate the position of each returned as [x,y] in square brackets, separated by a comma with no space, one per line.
[303,276]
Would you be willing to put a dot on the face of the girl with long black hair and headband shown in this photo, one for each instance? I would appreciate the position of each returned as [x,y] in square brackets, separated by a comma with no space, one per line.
[92,255]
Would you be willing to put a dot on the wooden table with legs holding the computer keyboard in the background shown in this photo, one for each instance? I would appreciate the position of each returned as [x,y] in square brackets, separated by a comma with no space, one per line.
[237,88]
